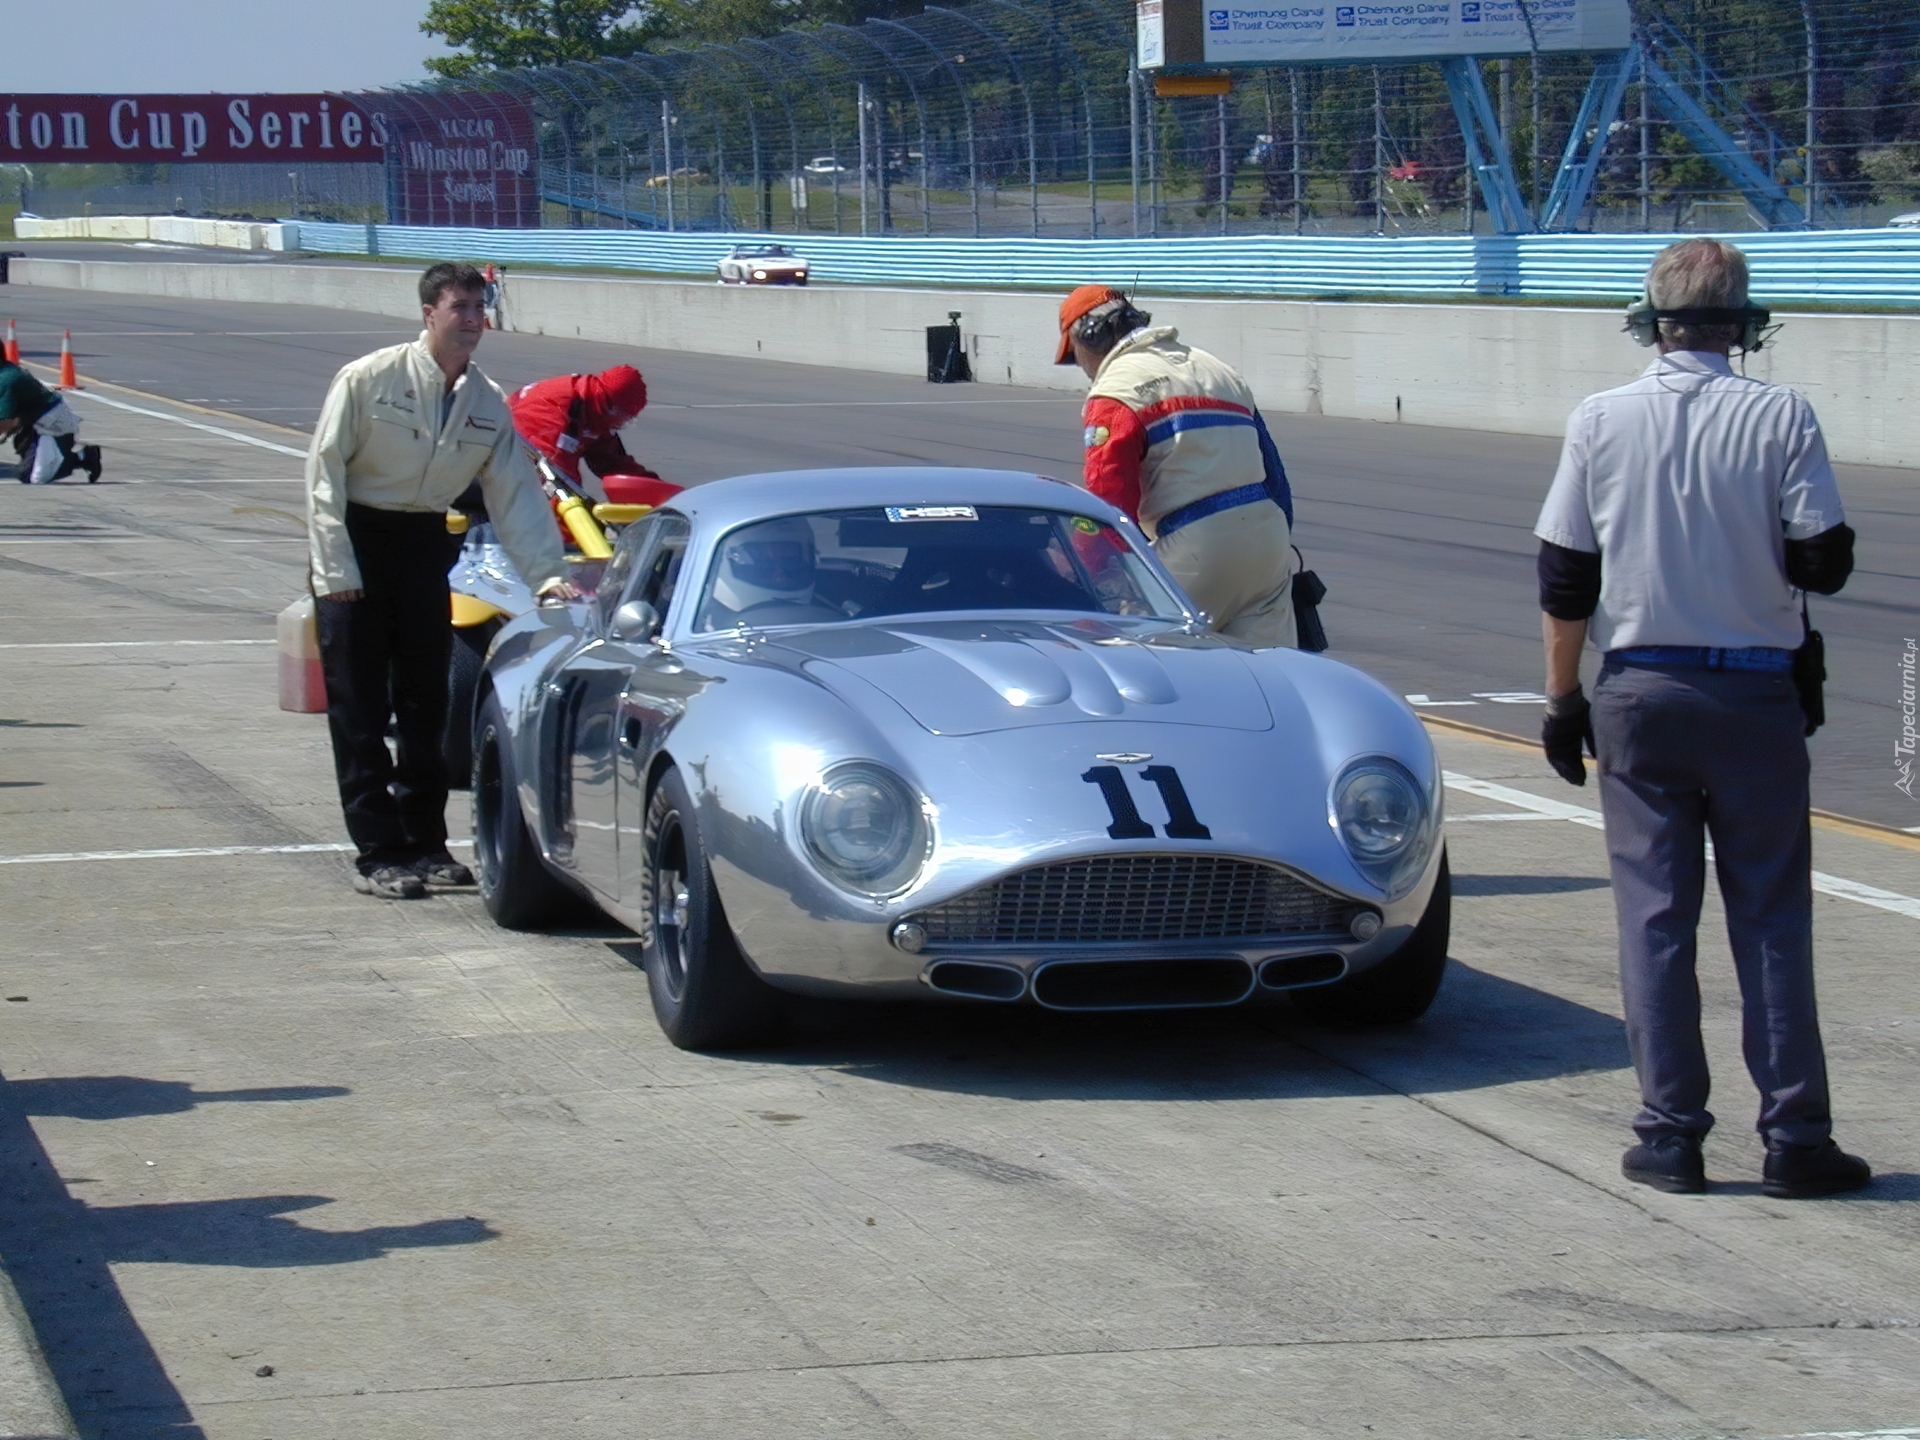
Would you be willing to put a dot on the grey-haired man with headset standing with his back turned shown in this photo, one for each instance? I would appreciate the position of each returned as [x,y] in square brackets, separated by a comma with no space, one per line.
[1691,512]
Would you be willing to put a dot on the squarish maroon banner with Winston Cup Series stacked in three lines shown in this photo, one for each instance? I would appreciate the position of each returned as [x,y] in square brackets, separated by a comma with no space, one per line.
[462,158]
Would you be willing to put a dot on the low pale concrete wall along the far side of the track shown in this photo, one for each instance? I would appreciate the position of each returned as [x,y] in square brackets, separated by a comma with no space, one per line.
[1477,368]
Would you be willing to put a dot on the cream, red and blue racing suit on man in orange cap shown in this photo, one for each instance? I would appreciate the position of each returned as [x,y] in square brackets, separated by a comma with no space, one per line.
[1176,441]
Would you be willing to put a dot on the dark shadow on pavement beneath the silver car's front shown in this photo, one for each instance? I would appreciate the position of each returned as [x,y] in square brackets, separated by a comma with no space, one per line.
[1481,1032]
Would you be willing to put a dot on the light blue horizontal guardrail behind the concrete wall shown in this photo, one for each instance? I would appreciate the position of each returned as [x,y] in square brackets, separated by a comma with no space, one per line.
[1873,268]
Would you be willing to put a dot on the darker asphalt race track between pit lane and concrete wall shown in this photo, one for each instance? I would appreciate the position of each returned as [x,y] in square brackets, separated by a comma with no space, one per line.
[1422,535]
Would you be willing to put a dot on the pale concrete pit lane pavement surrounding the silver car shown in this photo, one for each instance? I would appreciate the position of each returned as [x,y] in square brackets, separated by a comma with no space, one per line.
[281,1161]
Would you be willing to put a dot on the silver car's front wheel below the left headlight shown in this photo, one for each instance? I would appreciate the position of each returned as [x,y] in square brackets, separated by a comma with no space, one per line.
[704,992]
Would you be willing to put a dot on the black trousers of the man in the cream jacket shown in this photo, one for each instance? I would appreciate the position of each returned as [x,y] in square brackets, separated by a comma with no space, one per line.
[387,658]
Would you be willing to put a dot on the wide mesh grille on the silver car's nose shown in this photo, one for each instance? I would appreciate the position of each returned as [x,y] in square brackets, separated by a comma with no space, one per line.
[1138,900]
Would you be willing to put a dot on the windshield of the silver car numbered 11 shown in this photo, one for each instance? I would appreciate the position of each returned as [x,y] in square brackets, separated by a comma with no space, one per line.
[915,560]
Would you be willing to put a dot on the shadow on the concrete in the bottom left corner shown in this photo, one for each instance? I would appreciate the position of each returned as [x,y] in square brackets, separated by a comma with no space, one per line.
[60,1251]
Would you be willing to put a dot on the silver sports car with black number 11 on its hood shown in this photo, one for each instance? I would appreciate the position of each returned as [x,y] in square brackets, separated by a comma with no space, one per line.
[949,734]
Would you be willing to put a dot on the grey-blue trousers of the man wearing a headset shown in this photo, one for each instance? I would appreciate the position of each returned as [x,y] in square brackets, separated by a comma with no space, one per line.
[1687,754]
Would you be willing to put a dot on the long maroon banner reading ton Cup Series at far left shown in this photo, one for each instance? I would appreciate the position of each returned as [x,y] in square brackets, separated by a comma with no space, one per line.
[156,130]
